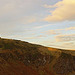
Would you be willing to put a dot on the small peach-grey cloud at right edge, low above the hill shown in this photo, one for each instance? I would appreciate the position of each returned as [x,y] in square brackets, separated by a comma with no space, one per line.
[64,38]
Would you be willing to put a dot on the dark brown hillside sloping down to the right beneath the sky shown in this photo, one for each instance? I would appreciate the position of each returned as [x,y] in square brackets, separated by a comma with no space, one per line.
[23,58]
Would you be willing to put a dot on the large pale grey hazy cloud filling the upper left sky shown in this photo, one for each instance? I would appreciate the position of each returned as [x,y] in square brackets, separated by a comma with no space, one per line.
[16,15]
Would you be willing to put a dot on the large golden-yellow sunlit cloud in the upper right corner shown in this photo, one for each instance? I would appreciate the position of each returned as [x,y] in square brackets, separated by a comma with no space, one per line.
[64,10]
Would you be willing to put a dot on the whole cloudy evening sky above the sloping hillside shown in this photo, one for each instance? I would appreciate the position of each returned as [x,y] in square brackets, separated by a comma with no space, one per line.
[46,22]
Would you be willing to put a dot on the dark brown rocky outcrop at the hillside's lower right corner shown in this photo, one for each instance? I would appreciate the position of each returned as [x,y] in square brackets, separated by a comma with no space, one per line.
[65,64]
